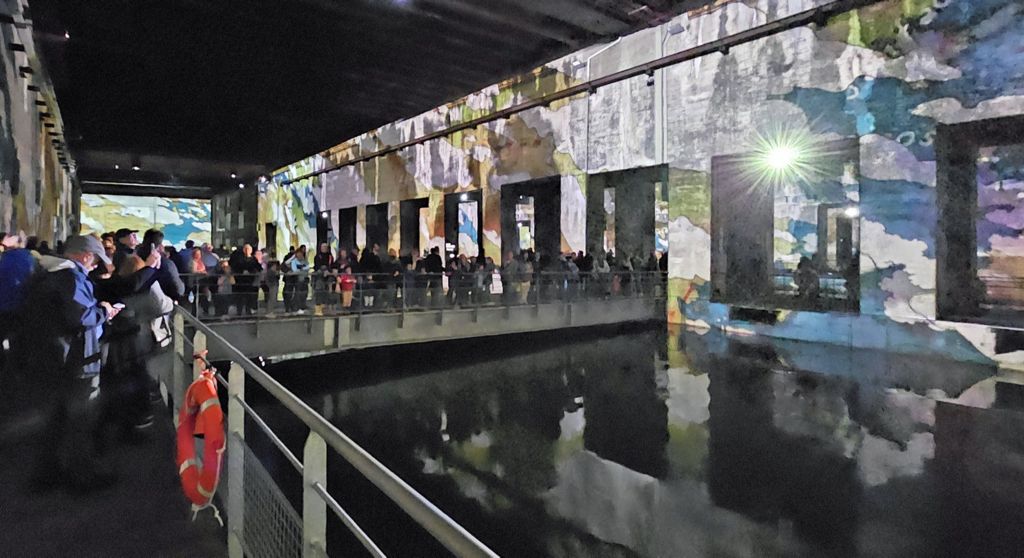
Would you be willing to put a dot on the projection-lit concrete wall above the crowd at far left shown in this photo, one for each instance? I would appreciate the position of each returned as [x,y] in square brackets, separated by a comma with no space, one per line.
[37,194]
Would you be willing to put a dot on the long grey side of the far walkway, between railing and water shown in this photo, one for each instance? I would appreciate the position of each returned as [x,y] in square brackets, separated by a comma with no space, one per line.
[282,339]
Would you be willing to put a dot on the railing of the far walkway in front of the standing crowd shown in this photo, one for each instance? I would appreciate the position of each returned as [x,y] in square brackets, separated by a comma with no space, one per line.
[224,296]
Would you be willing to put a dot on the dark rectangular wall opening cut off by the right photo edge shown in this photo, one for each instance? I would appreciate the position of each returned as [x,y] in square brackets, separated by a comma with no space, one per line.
[980,248]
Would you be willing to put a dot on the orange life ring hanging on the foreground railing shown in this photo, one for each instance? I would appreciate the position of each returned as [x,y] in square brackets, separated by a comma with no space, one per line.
[201,414]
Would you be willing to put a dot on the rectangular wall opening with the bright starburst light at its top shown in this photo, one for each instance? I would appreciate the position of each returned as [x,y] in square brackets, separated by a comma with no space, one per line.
[786,228]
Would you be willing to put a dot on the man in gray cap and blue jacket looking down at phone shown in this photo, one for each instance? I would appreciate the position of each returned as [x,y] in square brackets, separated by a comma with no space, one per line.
[69,329]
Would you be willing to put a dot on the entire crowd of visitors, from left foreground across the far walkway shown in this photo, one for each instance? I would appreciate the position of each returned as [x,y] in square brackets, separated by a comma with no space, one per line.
[86,325]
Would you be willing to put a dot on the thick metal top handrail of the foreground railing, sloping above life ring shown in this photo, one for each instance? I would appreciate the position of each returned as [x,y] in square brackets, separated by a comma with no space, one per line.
[453,536]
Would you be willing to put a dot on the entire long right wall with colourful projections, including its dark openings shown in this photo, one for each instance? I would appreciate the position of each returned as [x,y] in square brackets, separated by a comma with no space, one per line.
[855,181]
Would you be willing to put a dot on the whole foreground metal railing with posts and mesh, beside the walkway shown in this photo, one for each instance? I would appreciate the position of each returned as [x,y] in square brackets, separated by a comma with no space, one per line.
[261,520]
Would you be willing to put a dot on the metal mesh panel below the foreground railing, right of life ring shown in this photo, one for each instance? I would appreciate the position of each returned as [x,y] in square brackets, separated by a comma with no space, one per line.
[273,529]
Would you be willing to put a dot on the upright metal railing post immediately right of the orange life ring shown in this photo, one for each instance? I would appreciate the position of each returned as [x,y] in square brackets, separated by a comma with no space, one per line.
[236,460]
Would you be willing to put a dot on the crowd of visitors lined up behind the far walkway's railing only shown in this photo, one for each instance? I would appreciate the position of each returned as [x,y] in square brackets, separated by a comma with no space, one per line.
[350,280]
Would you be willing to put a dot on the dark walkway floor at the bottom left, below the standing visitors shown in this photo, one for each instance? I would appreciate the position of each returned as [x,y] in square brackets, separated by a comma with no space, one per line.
[145,514]
